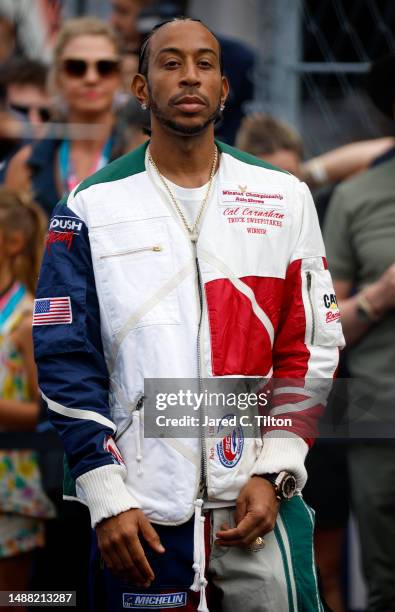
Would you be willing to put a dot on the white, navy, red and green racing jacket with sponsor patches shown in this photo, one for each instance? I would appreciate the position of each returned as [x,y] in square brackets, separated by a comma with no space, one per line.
[124,295]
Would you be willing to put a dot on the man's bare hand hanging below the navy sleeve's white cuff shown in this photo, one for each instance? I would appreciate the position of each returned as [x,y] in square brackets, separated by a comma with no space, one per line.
[120,546]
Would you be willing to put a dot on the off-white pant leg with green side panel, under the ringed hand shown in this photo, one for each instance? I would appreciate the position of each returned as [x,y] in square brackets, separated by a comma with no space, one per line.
[280,577]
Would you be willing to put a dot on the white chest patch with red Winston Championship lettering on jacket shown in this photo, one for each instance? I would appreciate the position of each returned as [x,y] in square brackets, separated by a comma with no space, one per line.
[249,195]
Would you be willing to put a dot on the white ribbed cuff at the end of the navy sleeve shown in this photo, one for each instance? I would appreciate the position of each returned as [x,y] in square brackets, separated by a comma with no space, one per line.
[105,492]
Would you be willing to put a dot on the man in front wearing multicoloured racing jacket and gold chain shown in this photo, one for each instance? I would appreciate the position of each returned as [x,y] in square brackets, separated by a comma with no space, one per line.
[189,259]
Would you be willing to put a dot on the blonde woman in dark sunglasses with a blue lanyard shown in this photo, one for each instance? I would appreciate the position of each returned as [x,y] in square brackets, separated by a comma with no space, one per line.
[86,77]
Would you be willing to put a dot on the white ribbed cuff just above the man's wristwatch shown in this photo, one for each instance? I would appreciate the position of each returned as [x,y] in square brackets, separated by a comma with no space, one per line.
[283,450]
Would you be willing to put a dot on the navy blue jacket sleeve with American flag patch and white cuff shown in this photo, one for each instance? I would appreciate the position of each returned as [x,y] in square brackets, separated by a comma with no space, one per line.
[72,371]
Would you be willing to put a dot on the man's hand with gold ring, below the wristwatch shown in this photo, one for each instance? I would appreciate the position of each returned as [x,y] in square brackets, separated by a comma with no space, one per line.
[256,513]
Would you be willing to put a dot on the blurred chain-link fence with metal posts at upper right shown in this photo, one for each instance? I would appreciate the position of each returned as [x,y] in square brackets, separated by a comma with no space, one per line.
[314,57]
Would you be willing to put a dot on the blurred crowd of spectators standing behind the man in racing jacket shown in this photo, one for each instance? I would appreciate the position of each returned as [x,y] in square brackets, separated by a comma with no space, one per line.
[66,111]
